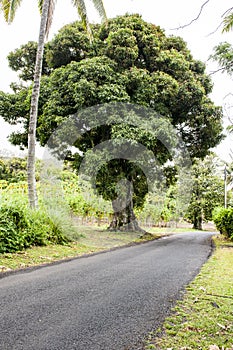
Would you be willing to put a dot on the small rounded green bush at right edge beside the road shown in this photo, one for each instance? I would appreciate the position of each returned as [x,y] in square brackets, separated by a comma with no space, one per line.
[223,219]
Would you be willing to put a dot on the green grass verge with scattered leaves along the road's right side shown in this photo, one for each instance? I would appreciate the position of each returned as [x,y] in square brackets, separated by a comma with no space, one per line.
[205,316]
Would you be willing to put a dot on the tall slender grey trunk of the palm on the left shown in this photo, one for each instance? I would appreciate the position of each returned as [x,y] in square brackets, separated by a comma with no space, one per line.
[32,195]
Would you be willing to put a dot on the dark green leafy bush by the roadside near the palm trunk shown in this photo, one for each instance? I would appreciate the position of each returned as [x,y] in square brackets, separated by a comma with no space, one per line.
[21,227]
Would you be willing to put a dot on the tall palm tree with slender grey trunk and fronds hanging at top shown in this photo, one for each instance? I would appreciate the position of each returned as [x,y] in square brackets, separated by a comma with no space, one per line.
[46,7]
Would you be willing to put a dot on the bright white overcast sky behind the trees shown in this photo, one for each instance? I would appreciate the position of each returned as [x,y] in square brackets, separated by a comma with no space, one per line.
[166,13]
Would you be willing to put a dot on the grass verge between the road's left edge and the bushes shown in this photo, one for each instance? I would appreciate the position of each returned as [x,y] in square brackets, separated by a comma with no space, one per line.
[89,240]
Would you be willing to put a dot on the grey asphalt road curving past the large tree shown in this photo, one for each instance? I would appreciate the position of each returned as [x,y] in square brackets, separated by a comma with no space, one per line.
[108,301]
